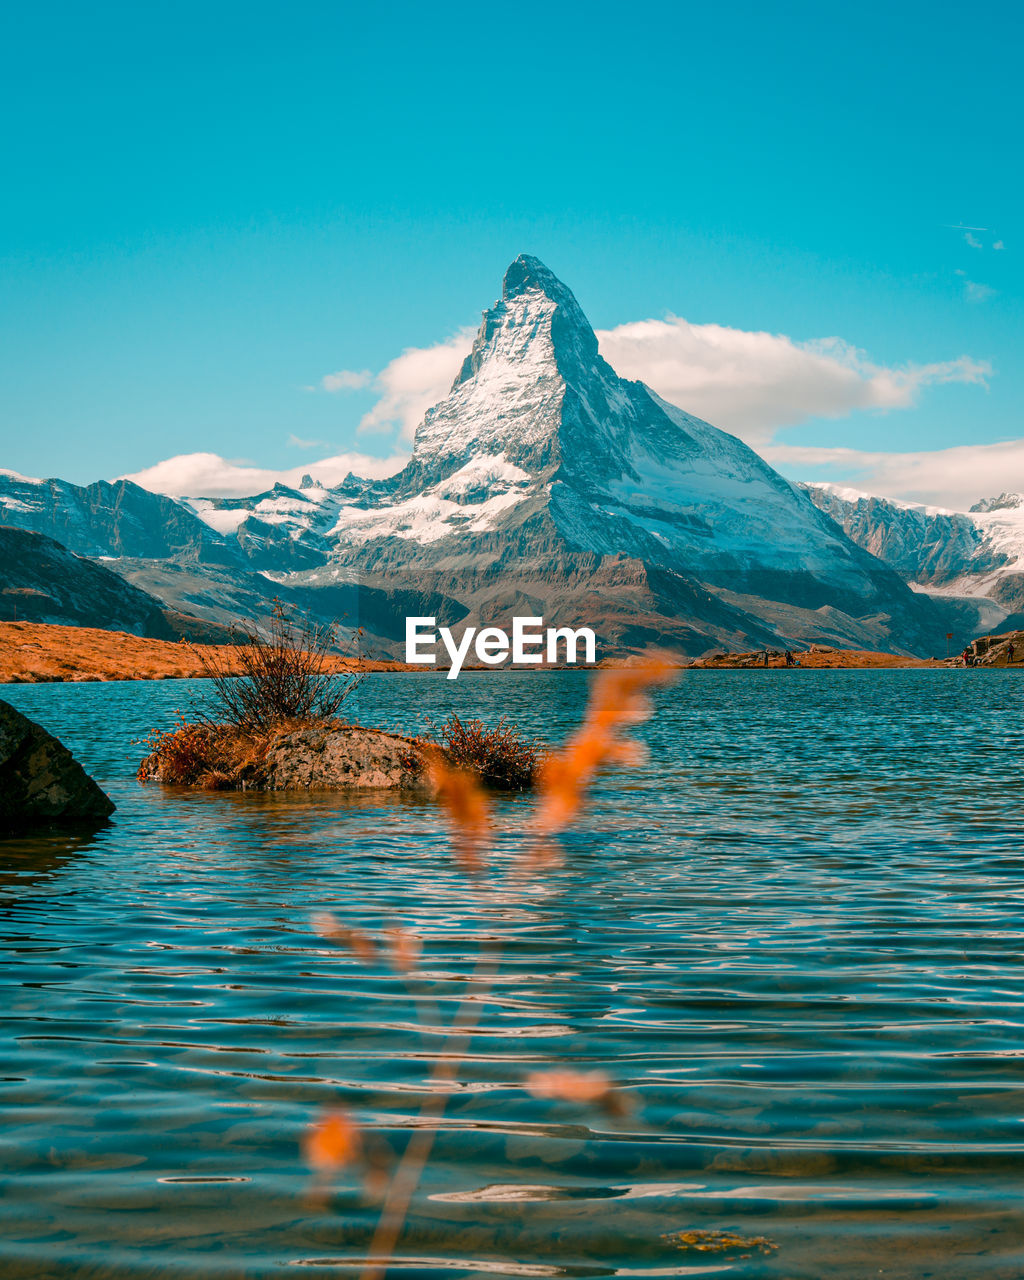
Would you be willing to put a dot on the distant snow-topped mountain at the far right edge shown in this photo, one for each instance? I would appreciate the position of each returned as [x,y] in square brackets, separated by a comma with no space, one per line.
[976,555]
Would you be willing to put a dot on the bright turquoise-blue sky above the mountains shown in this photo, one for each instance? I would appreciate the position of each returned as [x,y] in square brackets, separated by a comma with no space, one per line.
[211,208]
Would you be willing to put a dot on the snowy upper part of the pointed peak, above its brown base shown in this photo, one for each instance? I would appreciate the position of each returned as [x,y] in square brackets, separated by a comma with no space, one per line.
[538,419]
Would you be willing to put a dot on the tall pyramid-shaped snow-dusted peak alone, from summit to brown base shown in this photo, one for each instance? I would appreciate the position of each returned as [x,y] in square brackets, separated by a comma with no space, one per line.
[546,483]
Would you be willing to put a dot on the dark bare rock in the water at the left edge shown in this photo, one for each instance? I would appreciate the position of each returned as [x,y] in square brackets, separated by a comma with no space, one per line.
[40,780]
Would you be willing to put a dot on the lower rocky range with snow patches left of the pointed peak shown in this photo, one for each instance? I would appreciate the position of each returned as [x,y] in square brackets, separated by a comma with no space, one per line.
[185,564]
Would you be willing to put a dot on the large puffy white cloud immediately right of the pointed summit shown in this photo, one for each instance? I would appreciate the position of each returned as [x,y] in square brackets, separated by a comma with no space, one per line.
[755,383]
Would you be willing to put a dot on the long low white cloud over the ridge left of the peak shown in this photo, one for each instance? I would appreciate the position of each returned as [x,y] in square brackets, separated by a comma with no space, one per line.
[208,476]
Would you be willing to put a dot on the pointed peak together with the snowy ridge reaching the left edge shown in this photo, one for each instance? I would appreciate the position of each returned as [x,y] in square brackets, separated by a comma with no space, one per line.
[542,484]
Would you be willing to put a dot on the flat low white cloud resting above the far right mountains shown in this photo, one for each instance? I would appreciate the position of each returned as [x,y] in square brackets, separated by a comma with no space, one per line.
[953,478]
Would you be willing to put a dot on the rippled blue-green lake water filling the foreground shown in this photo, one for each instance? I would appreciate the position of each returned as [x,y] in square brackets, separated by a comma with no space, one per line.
[794,939]
